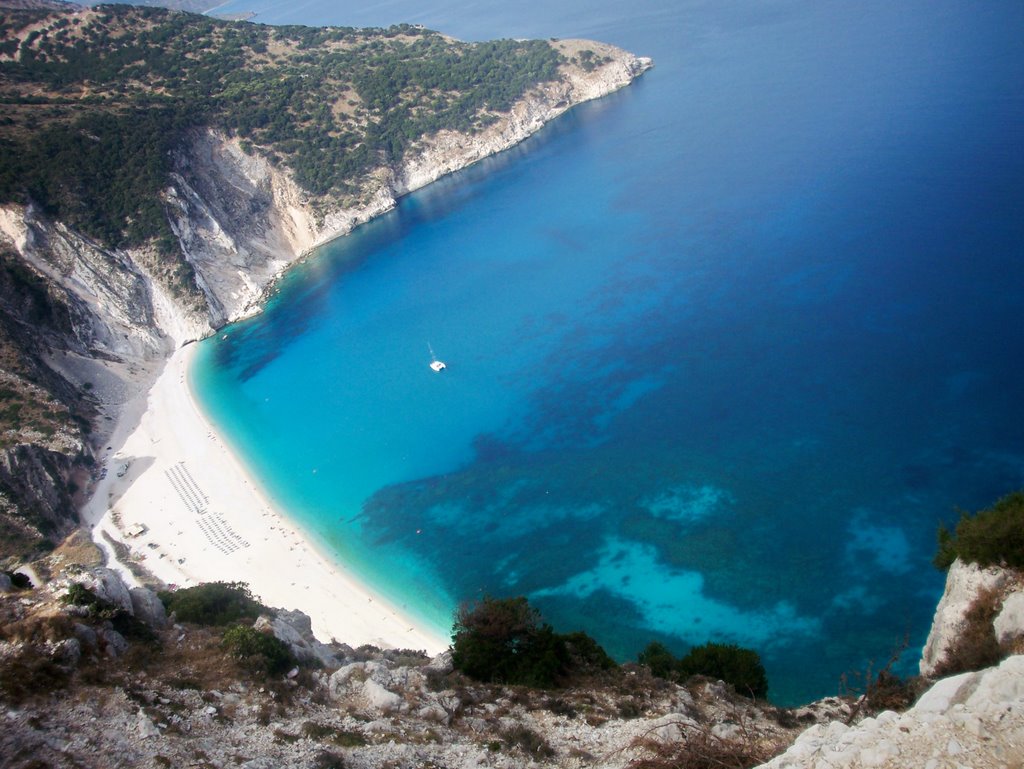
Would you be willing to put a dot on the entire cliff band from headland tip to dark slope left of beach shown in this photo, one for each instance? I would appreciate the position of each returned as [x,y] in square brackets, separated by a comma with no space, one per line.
[114,316]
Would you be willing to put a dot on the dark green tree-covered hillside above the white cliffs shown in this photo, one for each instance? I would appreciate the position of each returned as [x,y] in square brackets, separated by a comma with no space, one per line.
[96,100]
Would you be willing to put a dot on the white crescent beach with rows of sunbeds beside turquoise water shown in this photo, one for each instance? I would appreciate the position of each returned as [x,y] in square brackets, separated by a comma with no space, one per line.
[206,520]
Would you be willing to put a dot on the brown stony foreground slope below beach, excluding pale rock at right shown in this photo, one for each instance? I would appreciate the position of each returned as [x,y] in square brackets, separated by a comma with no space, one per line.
[79,693]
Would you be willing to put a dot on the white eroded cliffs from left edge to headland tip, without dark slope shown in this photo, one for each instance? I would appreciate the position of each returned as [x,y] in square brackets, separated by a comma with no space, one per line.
[240,223]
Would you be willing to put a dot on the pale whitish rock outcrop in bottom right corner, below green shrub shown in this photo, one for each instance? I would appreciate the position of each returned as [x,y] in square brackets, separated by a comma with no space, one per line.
[972,715]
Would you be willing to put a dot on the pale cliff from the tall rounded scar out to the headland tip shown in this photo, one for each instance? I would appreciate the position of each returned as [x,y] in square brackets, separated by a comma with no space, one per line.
[241,222]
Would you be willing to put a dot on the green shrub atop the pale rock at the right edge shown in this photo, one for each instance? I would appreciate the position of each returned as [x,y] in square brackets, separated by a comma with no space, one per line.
[991,538]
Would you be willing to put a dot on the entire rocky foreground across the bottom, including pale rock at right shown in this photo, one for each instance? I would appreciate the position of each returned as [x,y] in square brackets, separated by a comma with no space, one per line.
[103,678]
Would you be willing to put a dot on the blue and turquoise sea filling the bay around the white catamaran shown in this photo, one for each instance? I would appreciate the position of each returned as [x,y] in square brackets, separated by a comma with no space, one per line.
[723,349]
